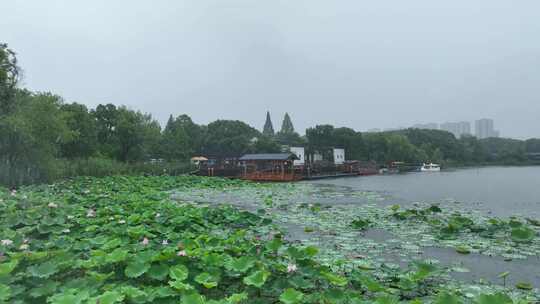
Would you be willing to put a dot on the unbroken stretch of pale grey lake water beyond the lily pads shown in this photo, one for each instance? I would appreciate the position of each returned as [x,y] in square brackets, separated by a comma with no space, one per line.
[498,191]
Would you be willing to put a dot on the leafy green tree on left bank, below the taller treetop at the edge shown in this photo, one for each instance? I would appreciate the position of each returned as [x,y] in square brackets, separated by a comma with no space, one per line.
[30,138]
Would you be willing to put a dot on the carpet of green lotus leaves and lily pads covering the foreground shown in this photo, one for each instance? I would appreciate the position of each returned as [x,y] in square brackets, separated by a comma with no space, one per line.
[198,240]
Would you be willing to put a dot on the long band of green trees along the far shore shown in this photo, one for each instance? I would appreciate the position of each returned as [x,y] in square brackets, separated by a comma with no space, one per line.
[43,137]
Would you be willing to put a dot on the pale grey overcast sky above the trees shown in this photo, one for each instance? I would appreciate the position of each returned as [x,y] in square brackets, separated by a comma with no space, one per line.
[362,64]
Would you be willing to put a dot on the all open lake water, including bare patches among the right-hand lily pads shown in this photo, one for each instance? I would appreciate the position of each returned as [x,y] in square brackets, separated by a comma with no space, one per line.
[494,191]
